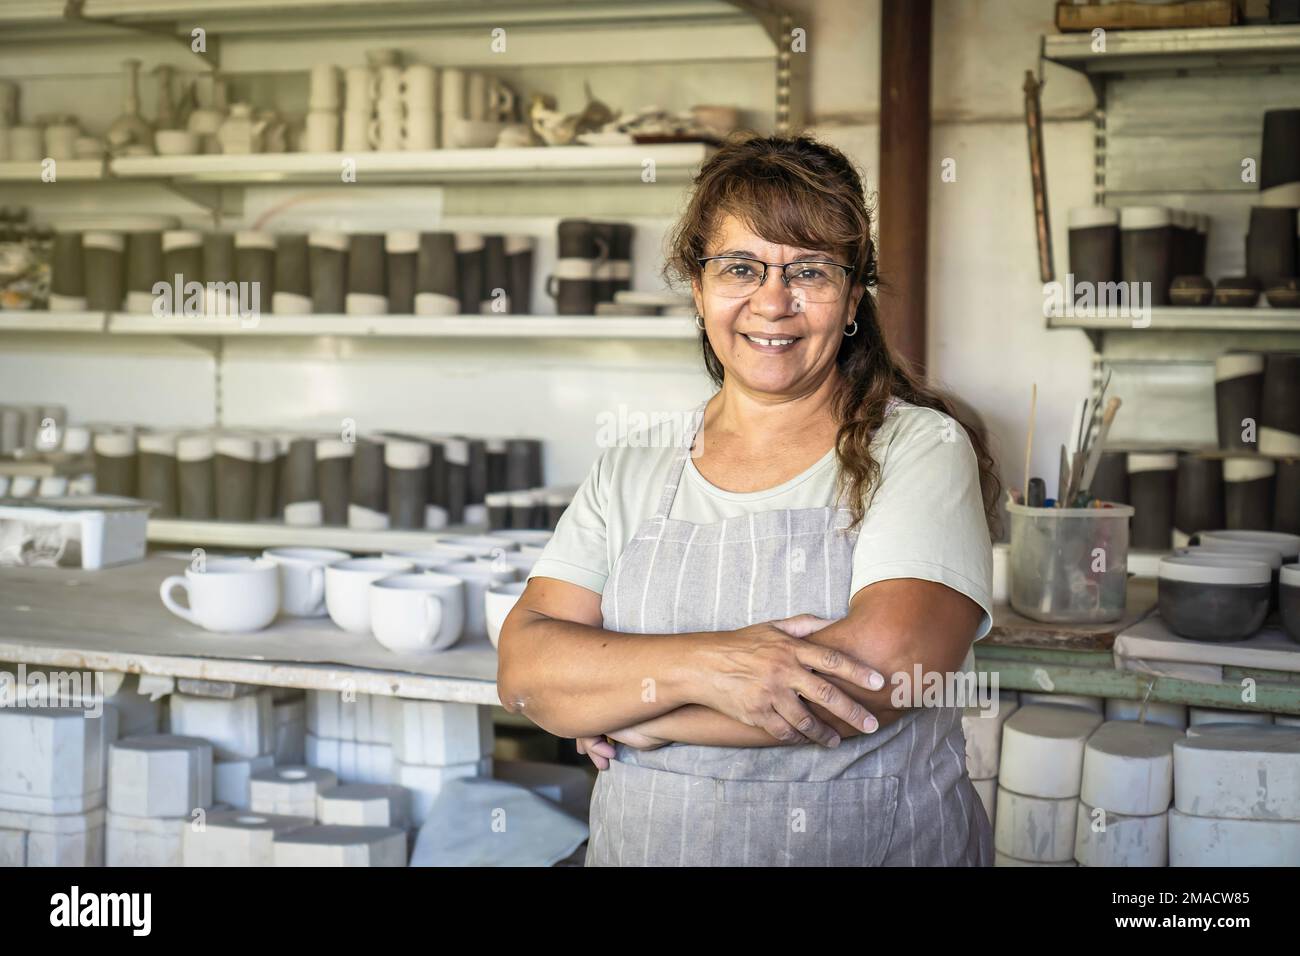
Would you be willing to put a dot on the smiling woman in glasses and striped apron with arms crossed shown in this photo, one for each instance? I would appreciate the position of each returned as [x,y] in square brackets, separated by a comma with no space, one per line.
[733,617]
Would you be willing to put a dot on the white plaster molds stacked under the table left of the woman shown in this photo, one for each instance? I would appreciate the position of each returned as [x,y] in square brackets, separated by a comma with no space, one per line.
[278,778]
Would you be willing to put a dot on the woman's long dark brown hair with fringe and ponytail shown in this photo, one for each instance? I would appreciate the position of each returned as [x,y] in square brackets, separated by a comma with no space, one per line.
[799,192]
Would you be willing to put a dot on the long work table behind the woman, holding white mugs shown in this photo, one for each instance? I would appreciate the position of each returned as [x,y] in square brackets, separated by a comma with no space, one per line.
[114,621]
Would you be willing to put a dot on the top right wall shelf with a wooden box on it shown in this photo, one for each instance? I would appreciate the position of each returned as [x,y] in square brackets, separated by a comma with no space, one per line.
[1132,51]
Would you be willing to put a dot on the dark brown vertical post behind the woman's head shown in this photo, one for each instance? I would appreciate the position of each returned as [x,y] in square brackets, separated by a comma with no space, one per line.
[905,175]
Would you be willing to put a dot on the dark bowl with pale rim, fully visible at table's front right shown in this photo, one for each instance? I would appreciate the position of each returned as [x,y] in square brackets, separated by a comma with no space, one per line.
[1214,598]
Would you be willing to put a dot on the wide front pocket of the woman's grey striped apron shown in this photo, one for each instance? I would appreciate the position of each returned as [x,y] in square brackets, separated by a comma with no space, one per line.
[843,823]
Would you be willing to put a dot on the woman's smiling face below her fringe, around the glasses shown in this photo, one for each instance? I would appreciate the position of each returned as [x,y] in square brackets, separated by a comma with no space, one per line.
[773,341]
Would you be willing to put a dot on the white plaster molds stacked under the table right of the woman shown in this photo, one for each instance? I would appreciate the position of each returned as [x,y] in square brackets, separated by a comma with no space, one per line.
[1090,782]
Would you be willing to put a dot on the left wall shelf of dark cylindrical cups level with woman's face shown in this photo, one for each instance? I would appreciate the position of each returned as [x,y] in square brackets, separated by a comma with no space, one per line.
[146,276]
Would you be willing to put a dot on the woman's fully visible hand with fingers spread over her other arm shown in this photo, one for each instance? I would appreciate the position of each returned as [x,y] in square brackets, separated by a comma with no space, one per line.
[762,676]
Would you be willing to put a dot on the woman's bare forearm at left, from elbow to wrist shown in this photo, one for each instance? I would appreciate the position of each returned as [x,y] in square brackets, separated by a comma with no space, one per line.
[580,681]
